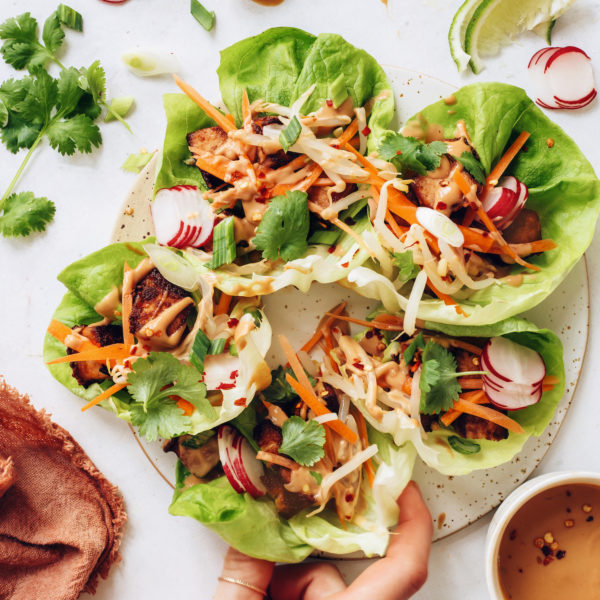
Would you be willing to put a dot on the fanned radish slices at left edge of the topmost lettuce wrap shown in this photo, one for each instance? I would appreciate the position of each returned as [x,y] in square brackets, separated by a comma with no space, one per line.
[182,217]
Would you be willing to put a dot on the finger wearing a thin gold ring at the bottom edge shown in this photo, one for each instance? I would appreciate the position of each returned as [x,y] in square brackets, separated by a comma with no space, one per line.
[250,570]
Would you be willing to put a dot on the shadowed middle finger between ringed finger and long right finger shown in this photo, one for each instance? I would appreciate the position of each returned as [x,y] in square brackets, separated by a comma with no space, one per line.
[311,581]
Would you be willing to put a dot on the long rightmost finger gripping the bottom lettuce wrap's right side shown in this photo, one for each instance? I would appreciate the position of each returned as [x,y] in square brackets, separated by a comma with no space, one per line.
[403,571]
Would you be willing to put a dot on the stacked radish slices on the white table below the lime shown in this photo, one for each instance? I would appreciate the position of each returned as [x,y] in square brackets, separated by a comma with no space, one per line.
[562,78]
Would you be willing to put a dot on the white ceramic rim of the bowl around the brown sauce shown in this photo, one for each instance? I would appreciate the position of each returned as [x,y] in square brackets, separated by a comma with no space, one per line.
[509,508]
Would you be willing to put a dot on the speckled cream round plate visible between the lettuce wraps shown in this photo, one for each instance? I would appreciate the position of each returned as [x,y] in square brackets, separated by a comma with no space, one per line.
[454,502]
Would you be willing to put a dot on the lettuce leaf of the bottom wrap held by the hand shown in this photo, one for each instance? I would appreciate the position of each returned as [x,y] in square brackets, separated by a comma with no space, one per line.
[253,526]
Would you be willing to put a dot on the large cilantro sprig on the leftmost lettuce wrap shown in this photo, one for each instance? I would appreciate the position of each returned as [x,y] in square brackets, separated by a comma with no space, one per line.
[154,384]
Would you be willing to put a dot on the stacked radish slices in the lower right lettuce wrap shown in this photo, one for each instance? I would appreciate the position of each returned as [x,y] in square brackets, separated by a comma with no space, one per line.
[515,374]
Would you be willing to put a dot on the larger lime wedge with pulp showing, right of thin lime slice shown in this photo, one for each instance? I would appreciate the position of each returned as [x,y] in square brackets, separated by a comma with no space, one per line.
[496,22]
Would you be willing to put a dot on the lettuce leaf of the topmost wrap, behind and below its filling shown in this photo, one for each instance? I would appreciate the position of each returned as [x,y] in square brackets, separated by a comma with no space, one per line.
[279,66]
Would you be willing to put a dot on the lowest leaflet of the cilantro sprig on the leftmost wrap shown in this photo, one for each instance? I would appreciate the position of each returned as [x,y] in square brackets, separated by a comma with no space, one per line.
[159,418]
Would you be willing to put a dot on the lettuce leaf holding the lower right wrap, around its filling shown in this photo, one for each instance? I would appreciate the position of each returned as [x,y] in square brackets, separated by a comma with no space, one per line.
[433,447]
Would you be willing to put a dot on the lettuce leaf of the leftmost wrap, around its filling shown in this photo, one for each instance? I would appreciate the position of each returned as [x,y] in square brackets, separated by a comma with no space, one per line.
[90,279]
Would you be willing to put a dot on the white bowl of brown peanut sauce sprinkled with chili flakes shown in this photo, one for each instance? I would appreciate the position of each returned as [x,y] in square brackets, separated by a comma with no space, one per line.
[544,540]
